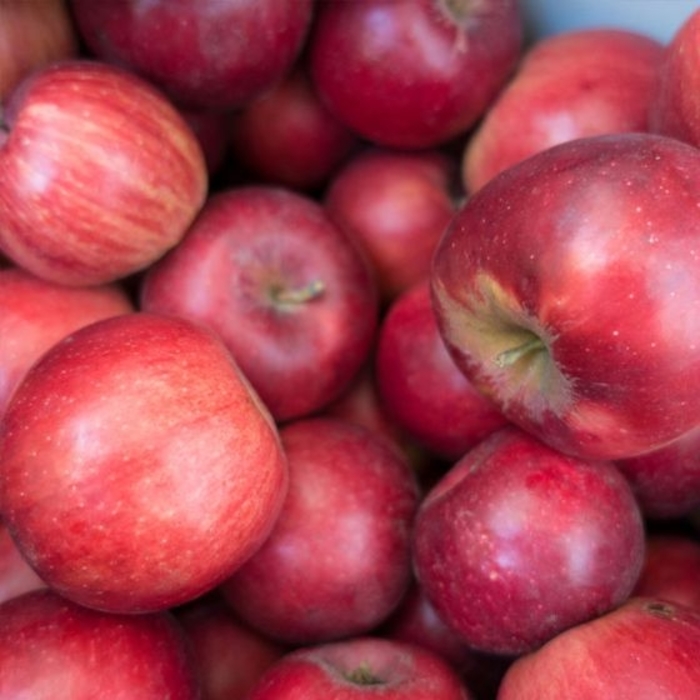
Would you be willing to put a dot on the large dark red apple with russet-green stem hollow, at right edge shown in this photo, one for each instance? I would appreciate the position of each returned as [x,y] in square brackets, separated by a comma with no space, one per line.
[557,288]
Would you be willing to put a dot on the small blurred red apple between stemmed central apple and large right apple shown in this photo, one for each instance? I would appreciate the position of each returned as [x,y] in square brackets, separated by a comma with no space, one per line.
[395,205]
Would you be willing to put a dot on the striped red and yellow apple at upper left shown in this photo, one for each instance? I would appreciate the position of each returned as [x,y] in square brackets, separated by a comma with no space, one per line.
[99,174]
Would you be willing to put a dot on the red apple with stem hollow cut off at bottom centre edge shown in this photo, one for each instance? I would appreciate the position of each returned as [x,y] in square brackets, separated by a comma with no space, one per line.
[361,667]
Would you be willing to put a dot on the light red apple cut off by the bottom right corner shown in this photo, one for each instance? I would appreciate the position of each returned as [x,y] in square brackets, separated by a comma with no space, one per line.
[647,648]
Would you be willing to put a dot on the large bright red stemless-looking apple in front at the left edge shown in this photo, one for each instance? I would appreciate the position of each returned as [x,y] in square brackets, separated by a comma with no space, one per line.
[140,435]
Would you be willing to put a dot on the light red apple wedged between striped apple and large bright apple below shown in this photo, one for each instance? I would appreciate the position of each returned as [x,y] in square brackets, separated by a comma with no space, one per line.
[37,313]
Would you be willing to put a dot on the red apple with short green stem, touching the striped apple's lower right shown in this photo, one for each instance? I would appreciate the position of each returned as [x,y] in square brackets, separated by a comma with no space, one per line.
[287,291]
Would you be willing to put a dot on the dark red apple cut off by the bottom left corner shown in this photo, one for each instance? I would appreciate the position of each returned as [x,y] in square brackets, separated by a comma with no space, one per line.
[53,648]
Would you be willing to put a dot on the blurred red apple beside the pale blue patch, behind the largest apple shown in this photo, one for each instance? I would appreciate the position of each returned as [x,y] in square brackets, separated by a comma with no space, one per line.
[564,89]
